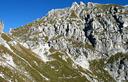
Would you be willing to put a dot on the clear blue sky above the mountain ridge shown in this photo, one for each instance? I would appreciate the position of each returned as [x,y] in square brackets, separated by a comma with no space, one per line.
[15,13]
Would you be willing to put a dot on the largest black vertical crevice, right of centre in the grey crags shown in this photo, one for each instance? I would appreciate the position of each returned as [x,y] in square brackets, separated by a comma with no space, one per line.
[88,30]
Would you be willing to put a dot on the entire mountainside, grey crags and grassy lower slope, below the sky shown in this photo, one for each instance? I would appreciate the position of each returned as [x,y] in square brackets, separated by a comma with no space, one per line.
[83,43]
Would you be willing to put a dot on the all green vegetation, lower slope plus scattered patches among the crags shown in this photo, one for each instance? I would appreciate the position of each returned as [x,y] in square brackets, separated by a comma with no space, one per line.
[60,69]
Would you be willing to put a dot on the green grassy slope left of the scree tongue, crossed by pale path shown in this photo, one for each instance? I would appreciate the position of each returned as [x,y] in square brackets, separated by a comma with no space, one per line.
[57,70]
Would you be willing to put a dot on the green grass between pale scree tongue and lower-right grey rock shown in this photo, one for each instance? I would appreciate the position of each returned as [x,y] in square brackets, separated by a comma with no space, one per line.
[97,67]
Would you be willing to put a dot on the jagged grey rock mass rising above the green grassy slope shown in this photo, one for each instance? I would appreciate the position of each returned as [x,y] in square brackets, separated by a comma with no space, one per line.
[85,32]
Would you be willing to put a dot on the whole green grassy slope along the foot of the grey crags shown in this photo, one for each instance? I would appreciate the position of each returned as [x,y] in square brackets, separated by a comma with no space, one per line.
[62,70]
